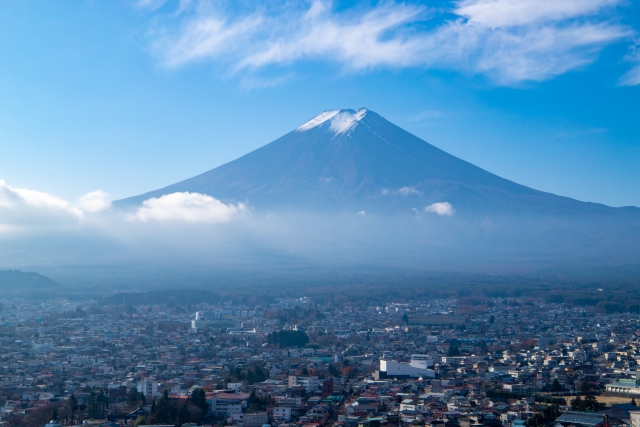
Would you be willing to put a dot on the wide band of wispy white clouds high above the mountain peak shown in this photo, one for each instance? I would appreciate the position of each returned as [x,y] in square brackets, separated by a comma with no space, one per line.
[508,41]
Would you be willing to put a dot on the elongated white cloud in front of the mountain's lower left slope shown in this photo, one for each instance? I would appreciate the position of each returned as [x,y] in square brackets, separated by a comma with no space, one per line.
[187,207]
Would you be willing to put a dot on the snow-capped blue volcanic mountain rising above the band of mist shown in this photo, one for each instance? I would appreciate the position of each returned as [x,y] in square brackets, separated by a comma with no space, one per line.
[346,159]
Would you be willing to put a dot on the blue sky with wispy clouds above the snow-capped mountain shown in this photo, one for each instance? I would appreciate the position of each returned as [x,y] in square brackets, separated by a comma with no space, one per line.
[129,96]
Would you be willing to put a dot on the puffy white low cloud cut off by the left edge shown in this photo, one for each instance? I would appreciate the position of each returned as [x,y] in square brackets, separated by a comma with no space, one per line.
[20,207]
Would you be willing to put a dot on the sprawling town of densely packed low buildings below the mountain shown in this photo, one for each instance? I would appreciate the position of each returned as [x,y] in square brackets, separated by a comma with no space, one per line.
[289,362]
